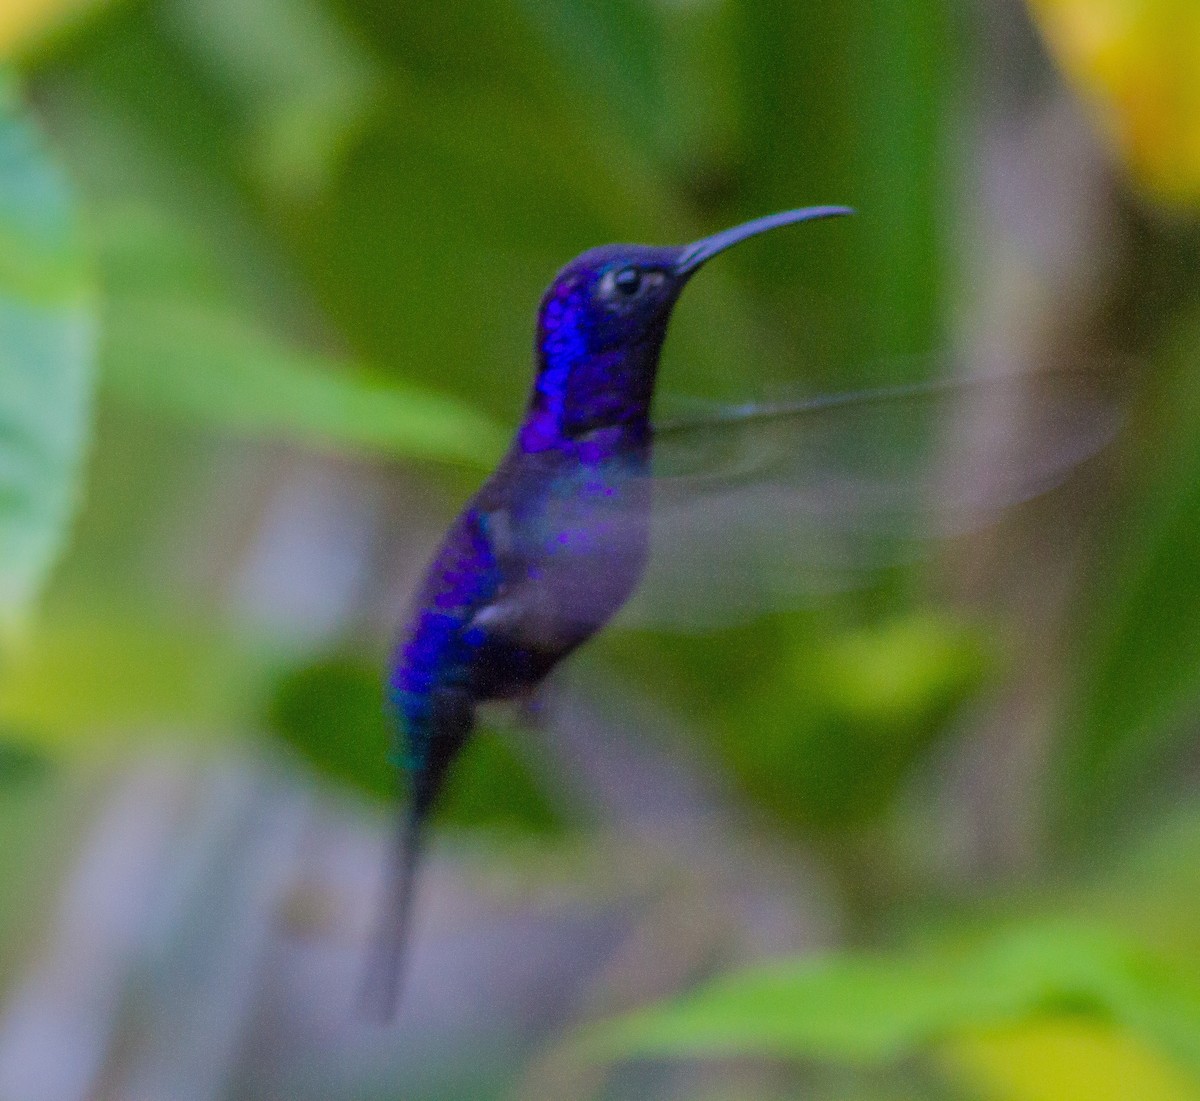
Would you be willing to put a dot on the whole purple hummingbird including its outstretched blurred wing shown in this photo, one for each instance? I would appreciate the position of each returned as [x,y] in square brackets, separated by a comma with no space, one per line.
[557,540]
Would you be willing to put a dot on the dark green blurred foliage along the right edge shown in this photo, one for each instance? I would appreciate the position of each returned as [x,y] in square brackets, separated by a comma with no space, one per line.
[1139,669]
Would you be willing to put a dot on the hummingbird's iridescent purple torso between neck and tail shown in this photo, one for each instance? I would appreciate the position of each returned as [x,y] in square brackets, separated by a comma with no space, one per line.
[544,556]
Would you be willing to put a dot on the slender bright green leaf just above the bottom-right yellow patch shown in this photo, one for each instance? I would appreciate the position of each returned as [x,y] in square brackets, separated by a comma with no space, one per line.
[856,1008]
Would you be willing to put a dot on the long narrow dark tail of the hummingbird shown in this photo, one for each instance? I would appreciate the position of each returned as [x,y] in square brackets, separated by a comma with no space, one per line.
[386,962]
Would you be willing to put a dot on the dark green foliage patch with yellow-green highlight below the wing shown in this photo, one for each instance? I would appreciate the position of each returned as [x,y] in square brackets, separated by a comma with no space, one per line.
[839,712]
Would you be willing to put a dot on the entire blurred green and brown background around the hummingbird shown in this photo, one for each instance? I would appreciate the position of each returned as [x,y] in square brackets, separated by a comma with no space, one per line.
[268,279]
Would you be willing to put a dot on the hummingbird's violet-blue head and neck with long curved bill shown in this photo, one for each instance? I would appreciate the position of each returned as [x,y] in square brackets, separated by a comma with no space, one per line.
[603,323]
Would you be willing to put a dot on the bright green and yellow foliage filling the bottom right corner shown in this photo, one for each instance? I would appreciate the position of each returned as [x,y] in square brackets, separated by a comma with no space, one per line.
[1063,1006]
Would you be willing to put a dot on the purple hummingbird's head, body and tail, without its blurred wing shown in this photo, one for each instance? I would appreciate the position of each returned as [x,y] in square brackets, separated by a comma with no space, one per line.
[555,542]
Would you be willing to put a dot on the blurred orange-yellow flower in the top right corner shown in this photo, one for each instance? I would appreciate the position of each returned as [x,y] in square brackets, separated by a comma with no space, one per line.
[1138,64]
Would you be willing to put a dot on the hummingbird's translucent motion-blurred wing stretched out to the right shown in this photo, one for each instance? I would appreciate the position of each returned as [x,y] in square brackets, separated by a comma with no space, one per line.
[759,507]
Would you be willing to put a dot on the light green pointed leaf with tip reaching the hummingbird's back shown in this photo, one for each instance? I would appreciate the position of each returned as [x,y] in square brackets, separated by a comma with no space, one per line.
[175,342]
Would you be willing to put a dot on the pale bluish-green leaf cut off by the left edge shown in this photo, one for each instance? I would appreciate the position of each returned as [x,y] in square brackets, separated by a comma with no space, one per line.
[46,362]
